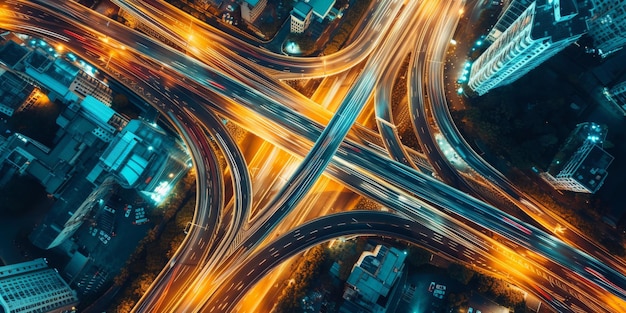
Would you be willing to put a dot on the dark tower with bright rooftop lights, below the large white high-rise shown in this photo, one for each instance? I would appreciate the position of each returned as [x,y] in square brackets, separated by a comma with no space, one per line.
[581,164]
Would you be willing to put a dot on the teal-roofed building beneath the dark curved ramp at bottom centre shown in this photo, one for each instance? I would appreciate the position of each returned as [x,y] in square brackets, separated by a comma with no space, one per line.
[371,280]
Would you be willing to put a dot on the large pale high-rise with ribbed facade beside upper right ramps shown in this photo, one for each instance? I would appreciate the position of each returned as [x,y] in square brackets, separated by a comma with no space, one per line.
[539,32]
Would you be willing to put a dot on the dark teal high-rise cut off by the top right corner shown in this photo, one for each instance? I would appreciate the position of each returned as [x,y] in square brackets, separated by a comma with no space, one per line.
[607,25]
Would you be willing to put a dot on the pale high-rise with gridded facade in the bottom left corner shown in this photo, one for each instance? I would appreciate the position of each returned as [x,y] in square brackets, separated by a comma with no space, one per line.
[34,287]
